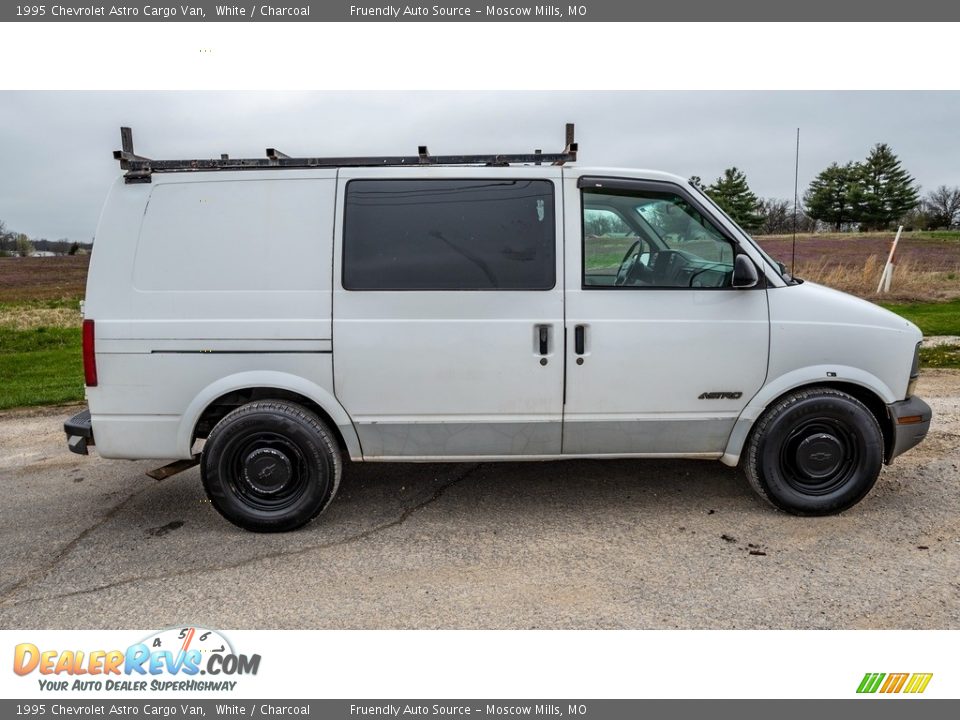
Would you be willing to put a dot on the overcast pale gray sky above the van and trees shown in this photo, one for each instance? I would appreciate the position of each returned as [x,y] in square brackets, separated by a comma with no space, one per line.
[56,162]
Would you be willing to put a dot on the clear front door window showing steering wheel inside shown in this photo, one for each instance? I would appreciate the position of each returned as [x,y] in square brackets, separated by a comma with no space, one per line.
[651,239]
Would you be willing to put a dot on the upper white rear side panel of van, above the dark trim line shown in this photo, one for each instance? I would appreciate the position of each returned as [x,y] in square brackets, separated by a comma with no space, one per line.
[218,260]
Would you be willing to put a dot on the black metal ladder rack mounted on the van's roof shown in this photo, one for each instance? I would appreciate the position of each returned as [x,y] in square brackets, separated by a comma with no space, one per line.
[140,168]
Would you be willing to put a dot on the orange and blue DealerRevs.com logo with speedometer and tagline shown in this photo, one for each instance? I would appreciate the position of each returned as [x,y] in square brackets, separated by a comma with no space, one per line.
[178,659]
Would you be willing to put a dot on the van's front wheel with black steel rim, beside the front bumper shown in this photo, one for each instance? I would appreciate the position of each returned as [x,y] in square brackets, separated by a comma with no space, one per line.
[815,452]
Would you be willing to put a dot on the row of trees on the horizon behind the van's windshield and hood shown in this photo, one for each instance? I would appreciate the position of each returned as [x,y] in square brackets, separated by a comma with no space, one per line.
[876,193]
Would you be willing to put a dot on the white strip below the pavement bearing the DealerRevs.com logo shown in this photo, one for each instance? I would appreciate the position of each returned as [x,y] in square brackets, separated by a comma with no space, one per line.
[460,664]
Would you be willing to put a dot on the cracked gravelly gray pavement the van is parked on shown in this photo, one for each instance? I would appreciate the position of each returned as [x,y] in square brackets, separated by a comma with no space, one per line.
[86,542]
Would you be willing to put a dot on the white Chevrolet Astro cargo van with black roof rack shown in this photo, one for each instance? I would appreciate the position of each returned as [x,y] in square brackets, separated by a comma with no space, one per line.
[268,317]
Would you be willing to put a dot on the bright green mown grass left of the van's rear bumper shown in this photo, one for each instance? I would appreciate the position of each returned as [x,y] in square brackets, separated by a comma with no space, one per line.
[40,366]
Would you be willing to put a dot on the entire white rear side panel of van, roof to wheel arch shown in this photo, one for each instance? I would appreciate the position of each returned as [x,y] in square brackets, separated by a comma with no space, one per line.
[199,277]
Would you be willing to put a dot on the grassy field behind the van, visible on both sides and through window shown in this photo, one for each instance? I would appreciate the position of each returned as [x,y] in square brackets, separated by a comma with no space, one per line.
[40,361]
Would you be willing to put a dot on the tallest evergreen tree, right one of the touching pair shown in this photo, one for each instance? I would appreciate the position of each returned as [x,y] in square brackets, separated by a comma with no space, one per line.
[886,191]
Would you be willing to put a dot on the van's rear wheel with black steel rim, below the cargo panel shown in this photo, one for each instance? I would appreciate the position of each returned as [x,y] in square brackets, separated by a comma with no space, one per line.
[270,466]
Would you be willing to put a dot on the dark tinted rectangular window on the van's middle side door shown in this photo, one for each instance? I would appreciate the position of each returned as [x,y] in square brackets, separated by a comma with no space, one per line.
[493,234]
